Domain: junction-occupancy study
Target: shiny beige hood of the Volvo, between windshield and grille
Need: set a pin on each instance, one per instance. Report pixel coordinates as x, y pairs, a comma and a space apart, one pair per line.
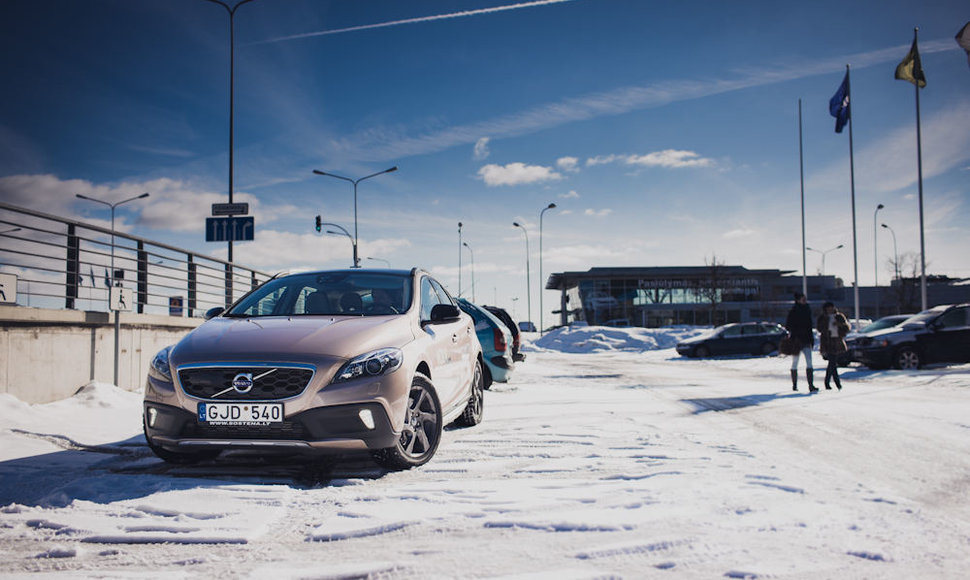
272, 338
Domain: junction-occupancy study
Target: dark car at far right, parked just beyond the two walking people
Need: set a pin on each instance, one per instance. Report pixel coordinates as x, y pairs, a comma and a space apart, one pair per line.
940, 334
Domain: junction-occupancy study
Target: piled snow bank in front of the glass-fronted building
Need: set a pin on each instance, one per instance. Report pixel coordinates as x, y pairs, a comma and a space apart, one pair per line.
590, 339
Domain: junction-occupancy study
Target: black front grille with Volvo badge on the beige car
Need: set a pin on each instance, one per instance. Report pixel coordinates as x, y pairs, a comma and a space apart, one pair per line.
268, 382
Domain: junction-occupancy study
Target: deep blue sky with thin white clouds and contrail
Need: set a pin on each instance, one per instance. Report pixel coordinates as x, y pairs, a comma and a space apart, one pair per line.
665, 132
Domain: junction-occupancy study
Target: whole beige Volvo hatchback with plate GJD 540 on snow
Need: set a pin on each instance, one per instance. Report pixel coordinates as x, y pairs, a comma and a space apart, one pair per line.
320, 362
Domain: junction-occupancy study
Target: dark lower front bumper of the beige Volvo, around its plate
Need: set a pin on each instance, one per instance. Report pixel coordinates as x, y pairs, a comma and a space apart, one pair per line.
323, 429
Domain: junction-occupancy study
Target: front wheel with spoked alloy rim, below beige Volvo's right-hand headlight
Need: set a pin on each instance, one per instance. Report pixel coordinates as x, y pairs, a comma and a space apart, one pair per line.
422, 429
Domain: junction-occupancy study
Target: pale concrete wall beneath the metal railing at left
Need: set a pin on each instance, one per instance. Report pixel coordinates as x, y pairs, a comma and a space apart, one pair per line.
47, 355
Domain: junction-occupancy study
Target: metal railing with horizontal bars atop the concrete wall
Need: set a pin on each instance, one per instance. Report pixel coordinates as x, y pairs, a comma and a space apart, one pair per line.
63, 263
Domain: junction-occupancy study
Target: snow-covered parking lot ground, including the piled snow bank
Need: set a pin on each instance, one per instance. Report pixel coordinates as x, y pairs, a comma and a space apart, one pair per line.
608, 455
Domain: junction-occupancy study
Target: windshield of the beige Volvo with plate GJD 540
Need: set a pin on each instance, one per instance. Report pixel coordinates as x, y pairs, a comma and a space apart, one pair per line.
328, 294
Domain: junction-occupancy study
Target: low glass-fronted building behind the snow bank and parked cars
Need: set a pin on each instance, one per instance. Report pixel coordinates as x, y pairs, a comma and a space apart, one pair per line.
714, 295
